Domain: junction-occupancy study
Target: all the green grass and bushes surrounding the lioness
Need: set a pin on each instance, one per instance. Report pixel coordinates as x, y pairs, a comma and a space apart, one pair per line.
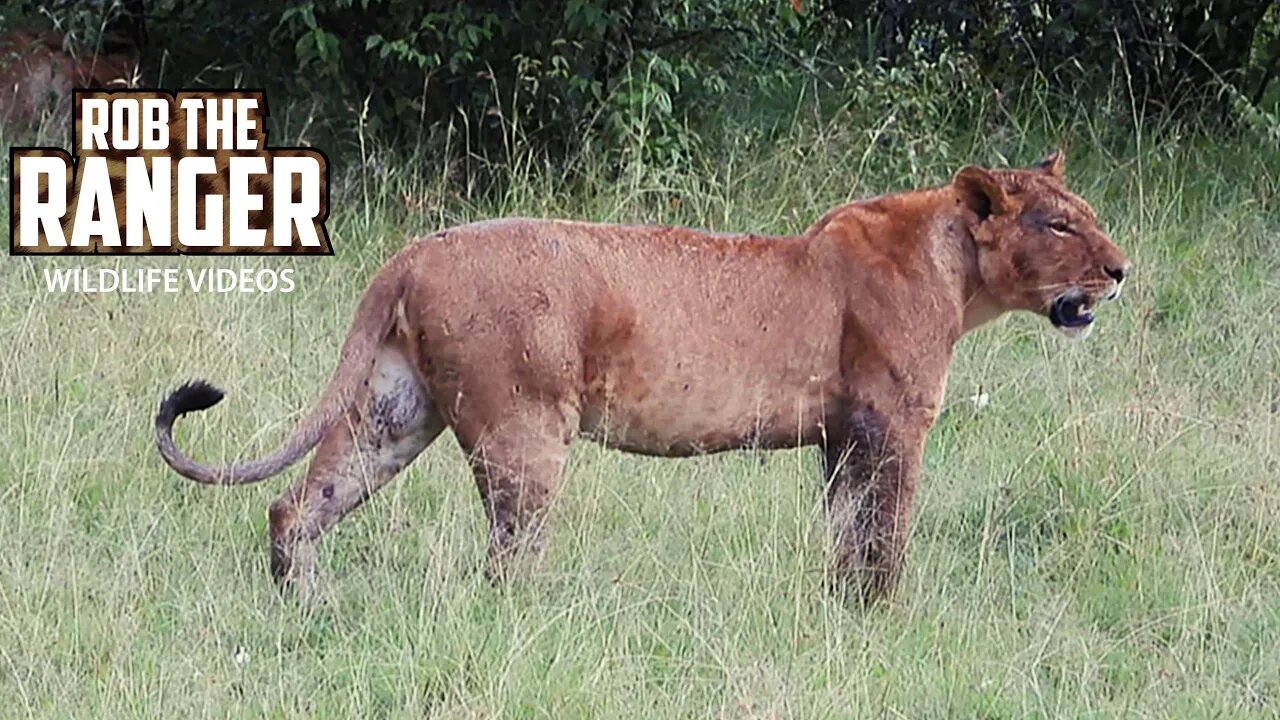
1096, 532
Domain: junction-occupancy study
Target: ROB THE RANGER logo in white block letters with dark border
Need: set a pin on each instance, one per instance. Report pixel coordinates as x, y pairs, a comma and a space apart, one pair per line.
161, 174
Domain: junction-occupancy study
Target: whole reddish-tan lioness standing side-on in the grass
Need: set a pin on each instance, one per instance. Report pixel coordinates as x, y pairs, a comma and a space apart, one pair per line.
523, 335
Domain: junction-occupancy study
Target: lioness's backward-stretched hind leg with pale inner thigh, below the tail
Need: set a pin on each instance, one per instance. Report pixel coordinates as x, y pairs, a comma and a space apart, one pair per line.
385, 431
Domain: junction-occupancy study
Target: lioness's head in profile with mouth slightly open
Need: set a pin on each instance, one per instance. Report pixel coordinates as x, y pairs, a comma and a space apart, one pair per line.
1040, 247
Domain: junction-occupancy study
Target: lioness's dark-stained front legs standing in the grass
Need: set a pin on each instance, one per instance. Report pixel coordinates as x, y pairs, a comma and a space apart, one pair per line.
871, 473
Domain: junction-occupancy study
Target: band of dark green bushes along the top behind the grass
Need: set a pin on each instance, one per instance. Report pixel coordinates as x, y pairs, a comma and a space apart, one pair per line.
643, 80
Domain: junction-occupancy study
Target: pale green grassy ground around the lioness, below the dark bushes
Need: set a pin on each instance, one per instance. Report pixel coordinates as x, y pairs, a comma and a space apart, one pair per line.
1100, 540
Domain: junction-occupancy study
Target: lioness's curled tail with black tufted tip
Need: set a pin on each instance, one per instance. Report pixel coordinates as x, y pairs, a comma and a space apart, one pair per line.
371, 327
